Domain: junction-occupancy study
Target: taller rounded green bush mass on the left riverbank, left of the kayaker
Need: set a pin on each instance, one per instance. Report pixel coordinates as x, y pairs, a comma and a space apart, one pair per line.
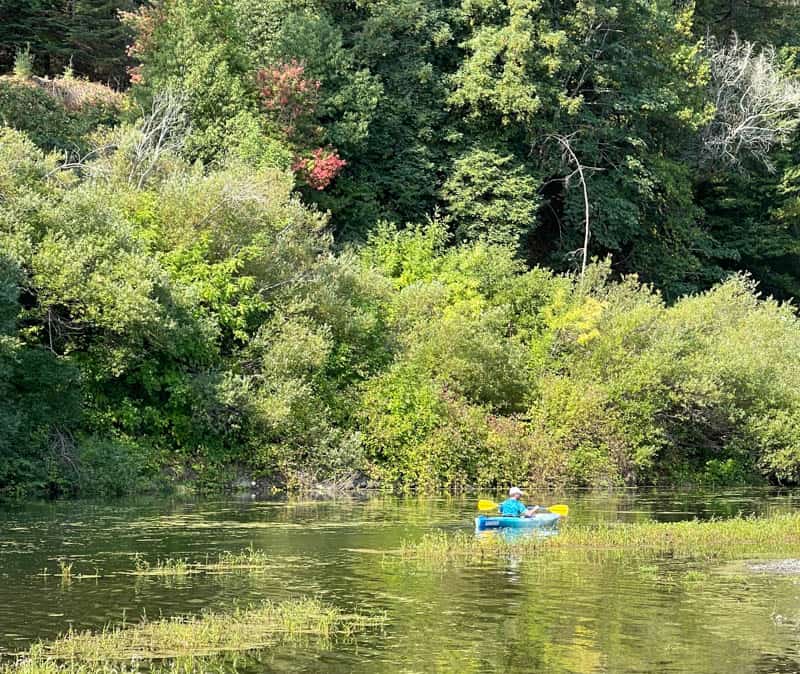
205, 316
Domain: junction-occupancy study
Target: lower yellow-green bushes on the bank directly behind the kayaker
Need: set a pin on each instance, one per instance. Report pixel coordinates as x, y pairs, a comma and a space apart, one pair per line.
615, 386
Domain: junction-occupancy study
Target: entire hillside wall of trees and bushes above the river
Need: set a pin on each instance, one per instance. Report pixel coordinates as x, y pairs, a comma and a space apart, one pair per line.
319, 239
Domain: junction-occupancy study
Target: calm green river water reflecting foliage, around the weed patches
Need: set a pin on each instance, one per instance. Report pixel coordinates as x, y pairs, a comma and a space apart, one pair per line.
577, 613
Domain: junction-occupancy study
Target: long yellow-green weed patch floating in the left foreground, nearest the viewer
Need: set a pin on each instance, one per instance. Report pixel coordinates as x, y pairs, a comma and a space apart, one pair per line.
243, 629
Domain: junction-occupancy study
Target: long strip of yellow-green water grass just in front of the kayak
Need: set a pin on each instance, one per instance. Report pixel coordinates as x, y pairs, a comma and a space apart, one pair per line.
713, 539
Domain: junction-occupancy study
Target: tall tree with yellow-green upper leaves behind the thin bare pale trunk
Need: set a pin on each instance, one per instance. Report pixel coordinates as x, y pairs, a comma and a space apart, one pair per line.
607, 77
